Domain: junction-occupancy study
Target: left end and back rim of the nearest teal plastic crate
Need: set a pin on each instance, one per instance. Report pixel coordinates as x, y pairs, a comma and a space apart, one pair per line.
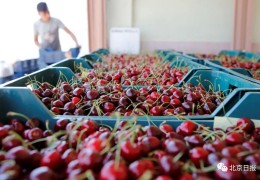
22, 100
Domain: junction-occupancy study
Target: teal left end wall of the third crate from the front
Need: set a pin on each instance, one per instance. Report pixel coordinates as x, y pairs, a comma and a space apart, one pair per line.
74, 64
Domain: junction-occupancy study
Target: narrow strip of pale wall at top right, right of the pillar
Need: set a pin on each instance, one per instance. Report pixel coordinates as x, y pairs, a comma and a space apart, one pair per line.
256, 21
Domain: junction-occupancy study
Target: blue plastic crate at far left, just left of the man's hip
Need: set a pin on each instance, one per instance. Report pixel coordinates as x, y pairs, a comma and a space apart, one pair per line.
28, 65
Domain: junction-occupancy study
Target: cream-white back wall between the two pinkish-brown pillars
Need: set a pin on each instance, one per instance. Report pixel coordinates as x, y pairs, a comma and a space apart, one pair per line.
175, 23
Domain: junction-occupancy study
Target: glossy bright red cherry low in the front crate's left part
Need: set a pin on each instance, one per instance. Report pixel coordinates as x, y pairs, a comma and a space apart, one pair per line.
52, 159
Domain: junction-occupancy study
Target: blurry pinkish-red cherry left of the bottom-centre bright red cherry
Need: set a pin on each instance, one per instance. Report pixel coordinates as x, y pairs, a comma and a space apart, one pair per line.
89, 159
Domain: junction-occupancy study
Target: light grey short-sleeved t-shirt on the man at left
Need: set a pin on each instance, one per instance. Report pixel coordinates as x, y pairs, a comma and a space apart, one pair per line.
49, 33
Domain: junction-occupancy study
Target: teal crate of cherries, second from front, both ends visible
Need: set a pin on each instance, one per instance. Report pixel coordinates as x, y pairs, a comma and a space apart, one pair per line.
216, 79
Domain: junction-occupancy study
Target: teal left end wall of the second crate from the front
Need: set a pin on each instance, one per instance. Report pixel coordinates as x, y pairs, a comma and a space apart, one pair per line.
51, 75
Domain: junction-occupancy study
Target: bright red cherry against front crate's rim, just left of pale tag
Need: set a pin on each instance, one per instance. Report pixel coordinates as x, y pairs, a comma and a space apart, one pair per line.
187, 128
